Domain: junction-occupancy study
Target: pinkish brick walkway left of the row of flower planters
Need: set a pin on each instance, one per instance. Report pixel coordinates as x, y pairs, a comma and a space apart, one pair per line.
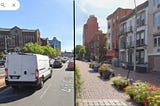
95, 88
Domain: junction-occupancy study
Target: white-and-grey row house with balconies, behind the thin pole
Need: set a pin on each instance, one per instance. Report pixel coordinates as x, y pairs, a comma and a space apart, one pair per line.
134, 32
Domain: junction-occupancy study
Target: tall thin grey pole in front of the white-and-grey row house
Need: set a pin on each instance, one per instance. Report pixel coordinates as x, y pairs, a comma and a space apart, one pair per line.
135, 37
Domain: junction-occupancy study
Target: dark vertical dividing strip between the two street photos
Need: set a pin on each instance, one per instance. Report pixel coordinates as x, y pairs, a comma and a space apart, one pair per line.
74, 34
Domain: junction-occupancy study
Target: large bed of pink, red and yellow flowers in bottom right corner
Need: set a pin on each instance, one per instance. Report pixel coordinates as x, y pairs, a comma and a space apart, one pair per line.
144, 93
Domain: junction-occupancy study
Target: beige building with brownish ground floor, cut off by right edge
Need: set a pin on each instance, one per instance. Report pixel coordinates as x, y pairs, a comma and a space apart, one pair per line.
154, 35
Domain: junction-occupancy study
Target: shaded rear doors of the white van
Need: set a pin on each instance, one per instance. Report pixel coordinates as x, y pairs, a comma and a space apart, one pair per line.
21, 68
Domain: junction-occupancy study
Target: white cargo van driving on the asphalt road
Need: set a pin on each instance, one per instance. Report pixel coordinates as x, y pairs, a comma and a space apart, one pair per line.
27, 69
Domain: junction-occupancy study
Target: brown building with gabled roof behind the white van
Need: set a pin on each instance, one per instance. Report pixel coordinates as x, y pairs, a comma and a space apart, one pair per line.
11, 38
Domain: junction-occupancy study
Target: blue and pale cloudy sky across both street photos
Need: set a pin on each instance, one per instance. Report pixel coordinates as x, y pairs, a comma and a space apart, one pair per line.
54, 18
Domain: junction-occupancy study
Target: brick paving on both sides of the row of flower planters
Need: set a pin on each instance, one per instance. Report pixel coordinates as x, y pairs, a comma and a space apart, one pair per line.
99, 92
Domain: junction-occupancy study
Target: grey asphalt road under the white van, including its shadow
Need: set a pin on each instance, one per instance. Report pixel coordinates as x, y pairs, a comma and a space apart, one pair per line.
57, 91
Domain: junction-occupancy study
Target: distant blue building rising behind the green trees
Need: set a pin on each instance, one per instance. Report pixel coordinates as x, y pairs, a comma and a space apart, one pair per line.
55, 43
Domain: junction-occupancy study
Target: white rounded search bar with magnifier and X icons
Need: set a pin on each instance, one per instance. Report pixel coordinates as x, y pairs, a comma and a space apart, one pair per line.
9, 4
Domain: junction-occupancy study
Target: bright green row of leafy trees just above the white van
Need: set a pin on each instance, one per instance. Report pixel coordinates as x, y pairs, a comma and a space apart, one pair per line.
38, 49
